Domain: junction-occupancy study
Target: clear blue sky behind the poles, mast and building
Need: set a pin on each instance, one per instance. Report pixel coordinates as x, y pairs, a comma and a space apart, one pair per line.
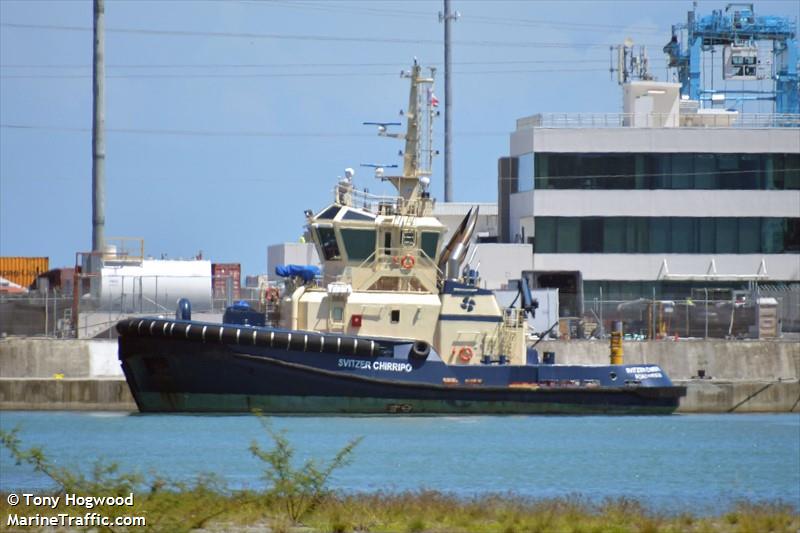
227, 119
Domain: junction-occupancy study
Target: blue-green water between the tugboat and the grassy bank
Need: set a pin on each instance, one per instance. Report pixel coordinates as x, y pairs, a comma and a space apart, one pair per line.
696, 463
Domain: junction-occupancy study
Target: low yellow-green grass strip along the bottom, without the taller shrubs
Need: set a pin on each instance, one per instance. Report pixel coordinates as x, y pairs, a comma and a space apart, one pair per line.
199, 508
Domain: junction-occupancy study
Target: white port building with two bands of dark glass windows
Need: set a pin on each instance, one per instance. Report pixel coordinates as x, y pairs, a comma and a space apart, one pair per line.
657, 200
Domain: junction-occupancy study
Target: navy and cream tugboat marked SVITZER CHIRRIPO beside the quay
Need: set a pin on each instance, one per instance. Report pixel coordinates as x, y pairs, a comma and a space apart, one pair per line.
394, 324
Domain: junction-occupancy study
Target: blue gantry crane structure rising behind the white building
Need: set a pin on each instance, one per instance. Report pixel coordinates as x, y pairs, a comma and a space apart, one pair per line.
738, 30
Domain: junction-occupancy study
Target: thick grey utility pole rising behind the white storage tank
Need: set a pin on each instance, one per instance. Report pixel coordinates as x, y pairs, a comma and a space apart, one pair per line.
98, 134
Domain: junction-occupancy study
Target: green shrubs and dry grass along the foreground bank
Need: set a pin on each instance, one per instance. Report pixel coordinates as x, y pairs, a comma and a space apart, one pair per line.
299, 500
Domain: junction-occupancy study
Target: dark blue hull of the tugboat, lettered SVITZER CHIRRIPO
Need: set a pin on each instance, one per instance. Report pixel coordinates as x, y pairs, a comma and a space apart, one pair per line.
170, 369
